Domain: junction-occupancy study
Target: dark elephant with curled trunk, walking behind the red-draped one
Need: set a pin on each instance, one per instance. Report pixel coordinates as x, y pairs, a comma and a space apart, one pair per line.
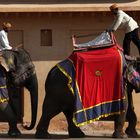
21, 73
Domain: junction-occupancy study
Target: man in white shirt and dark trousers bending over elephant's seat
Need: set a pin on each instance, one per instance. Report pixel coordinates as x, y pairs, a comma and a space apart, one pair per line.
130, 26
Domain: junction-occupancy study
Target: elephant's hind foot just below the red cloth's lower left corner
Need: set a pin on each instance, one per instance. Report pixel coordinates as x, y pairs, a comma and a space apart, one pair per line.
75, 132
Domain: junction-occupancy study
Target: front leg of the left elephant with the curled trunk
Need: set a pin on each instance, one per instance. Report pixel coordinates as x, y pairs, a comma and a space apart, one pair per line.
11, 118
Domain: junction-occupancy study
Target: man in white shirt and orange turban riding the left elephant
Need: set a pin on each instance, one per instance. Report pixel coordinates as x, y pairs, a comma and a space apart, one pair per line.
4, 42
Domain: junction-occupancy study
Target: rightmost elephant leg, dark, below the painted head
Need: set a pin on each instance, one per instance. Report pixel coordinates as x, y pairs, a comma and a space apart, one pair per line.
131, 115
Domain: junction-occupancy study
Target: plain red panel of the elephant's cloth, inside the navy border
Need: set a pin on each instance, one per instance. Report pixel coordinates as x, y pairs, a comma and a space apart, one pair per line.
98, 75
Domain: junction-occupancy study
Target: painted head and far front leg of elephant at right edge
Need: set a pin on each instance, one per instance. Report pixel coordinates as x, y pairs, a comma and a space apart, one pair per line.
133, 83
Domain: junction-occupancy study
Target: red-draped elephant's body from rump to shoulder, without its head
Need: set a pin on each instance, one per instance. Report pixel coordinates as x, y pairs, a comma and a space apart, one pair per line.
99, 73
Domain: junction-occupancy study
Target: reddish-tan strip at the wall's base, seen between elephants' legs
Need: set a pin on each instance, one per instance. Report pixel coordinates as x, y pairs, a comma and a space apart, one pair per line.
60, 125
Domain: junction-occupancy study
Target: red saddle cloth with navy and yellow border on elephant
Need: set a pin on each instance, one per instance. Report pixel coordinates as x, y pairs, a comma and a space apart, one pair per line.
96, 81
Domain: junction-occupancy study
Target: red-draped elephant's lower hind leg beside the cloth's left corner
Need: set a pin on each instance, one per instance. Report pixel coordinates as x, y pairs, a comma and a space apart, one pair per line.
74, 131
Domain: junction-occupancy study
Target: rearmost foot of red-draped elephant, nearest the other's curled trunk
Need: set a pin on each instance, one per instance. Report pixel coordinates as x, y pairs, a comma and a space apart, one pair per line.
41, 134
